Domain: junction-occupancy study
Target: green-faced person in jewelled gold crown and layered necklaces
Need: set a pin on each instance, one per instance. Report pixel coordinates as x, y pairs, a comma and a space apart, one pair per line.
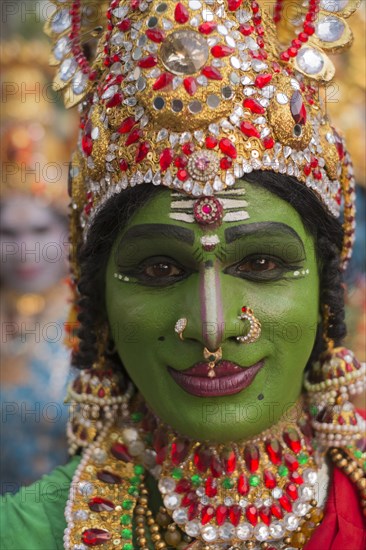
212, 410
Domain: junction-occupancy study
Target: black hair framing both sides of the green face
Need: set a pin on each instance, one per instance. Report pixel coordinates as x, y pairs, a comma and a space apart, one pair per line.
93, 257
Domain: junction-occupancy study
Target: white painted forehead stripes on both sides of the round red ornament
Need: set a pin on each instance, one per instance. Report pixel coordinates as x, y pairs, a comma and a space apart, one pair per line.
232, 201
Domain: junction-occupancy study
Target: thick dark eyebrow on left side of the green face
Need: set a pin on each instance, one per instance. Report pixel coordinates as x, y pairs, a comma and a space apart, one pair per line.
151, 230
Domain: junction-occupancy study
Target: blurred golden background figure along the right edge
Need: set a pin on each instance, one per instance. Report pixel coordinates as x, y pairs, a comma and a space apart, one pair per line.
349, 93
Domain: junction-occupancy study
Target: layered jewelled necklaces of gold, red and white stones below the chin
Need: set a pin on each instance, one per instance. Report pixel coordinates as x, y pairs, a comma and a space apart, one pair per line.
260, 493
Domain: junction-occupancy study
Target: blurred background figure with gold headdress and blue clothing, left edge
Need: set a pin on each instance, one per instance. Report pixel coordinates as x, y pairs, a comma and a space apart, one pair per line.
35, 150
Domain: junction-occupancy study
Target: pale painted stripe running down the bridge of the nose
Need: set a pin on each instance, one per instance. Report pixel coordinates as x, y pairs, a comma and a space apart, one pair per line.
211, 305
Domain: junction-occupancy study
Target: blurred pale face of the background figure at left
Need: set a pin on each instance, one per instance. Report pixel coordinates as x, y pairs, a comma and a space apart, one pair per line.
33, 240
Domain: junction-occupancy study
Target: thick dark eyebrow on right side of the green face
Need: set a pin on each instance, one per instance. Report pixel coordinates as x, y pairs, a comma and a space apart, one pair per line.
265, 229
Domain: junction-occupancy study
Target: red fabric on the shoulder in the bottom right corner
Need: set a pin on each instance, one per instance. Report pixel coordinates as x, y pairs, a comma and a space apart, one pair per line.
343, 526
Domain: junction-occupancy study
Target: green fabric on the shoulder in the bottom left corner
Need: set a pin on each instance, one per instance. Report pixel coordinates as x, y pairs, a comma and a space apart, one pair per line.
33, 519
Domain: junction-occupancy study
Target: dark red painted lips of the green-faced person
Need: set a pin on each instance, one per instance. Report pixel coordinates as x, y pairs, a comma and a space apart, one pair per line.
229, 379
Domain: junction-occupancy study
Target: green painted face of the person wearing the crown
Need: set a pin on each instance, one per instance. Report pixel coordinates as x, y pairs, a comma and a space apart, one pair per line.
266, 262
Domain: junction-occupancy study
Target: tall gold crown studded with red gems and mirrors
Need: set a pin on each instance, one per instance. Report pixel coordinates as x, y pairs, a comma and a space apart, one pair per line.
193, 95
